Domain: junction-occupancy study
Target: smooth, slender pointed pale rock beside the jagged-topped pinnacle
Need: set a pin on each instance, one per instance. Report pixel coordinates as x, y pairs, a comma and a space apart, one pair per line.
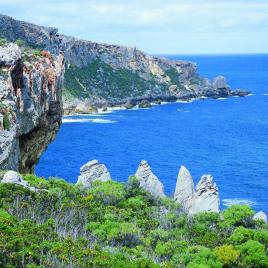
184, 188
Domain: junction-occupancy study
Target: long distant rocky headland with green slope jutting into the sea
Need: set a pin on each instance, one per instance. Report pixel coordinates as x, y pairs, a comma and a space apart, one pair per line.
102, 75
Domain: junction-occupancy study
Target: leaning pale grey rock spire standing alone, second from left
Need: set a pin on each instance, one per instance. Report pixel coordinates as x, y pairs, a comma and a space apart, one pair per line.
148, 180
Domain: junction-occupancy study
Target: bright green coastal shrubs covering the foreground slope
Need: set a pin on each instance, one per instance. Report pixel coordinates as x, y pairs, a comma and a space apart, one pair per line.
120, 225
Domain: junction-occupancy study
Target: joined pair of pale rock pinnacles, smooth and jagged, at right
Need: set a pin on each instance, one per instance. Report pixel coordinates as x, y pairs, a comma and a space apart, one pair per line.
204, 198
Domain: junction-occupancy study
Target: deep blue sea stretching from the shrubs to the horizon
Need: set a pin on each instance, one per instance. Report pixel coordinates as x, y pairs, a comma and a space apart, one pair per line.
227, 138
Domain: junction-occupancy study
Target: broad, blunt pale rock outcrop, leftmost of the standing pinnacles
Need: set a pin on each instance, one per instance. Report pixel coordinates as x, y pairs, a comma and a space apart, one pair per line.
91, 172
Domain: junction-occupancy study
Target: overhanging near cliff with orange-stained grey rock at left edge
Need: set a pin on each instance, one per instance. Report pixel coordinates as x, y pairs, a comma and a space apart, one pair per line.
30, 104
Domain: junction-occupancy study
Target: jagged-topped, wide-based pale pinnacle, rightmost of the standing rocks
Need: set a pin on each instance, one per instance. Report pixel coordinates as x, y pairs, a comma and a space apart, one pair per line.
206, 197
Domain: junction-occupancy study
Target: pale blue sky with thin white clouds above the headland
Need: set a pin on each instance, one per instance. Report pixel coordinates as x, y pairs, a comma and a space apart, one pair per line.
154, 26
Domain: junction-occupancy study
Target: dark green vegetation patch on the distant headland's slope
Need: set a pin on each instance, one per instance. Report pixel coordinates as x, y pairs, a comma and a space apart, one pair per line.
101, 79
